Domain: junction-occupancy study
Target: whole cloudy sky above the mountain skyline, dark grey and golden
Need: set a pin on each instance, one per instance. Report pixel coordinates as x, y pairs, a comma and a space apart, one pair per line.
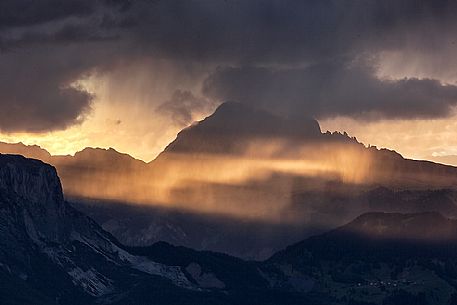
130, 74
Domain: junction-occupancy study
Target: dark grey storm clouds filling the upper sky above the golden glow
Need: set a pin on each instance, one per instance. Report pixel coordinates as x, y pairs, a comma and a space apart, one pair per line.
319, 58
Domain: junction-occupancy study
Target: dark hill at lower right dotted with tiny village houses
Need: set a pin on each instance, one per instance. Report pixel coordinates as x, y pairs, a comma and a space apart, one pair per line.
378, 258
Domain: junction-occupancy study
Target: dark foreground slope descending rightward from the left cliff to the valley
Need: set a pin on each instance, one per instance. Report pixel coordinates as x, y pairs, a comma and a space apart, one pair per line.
50, 253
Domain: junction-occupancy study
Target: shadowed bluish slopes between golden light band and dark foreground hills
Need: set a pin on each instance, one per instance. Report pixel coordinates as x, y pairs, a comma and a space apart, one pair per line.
144, 225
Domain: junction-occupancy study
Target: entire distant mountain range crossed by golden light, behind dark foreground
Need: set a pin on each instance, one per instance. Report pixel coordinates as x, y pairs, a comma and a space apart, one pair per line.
241, 169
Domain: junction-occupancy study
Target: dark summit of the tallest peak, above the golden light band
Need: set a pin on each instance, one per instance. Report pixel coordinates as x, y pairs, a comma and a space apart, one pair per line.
233, 125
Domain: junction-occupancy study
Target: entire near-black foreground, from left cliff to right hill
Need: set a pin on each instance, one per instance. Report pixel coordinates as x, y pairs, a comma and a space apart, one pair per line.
52, 254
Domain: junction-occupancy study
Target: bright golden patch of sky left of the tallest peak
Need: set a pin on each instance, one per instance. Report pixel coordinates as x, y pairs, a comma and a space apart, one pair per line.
123, 116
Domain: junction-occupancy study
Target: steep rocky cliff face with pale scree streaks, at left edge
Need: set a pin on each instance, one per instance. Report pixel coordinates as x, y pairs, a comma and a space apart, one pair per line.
38, 228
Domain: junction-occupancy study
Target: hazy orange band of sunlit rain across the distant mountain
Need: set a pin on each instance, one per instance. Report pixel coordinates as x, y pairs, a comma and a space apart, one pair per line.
251, 185
